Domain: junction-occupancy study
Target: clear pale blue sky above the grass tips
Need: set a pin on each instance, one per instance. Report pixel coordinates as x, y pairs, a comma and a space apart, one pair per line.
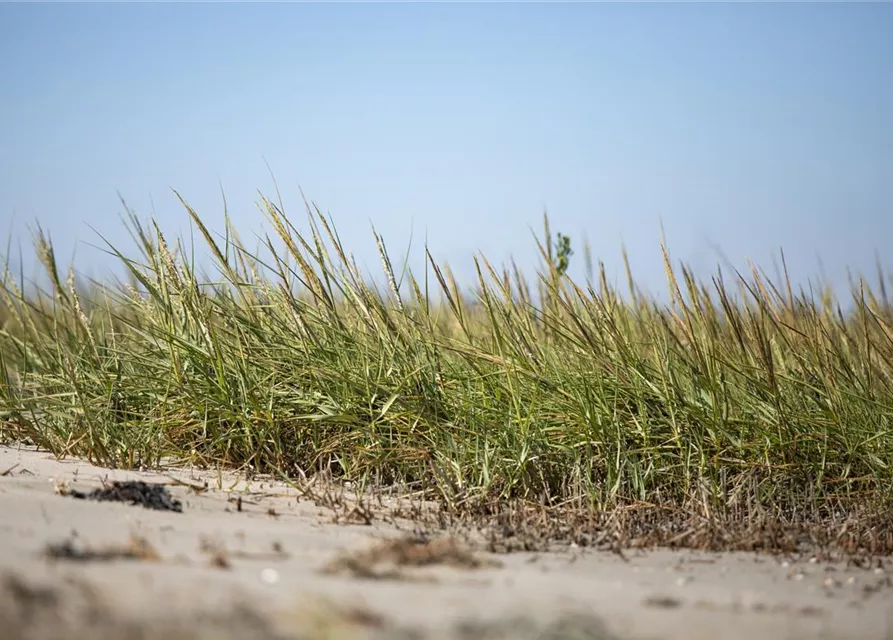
747, 126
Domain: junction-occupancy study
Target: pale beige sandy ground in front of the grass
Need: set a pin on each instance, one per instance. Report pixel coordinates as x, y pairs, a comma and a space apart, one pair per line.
217, 572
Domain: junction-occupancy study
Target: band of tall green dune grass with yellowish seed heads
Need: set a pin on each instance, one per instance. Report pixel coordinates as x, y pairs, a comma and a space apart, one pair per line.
737, 390
